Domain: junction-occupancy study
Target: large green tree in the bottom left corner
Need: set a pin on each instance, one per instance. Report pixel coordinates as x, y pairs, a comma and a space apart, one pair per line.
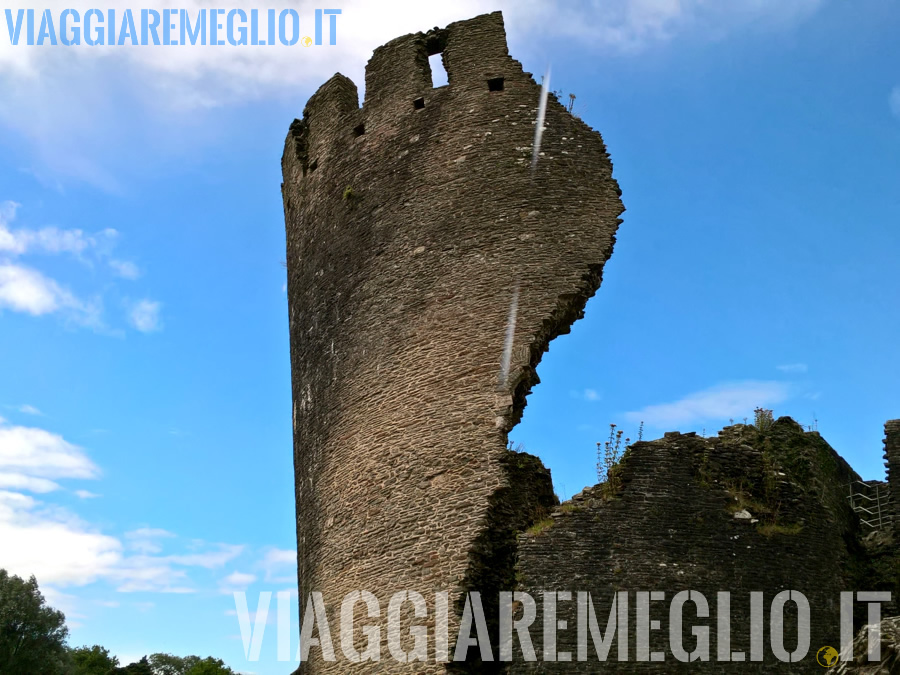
32, 635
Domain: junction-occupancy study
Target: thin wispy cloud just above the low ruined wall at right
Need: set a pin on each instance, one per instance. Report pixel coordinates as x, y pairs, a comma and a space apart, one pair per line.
721, 402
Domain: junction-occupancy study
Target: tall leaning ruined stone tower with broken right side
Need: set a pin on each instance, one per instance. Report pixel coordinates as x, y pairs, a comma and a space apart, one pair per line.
410, 223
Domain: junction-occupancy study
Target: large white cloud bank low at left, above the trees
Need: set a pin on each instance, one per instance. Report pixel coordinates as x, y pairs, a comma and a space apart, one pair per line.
61, 549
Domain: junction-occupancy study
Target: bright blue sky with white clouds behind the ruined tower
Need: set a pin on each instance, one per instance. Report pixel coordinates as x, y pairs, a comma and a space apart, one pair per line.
145, 448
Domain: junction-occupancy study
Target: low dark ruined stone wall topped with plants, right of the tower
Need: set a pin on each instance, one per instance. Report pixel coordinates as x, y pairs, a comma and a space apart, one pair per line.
673, 527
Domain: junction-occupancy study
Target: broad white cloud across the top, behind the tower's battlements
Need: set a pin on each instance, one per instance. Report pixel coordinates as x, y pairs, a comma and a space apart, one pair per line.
75, 90
